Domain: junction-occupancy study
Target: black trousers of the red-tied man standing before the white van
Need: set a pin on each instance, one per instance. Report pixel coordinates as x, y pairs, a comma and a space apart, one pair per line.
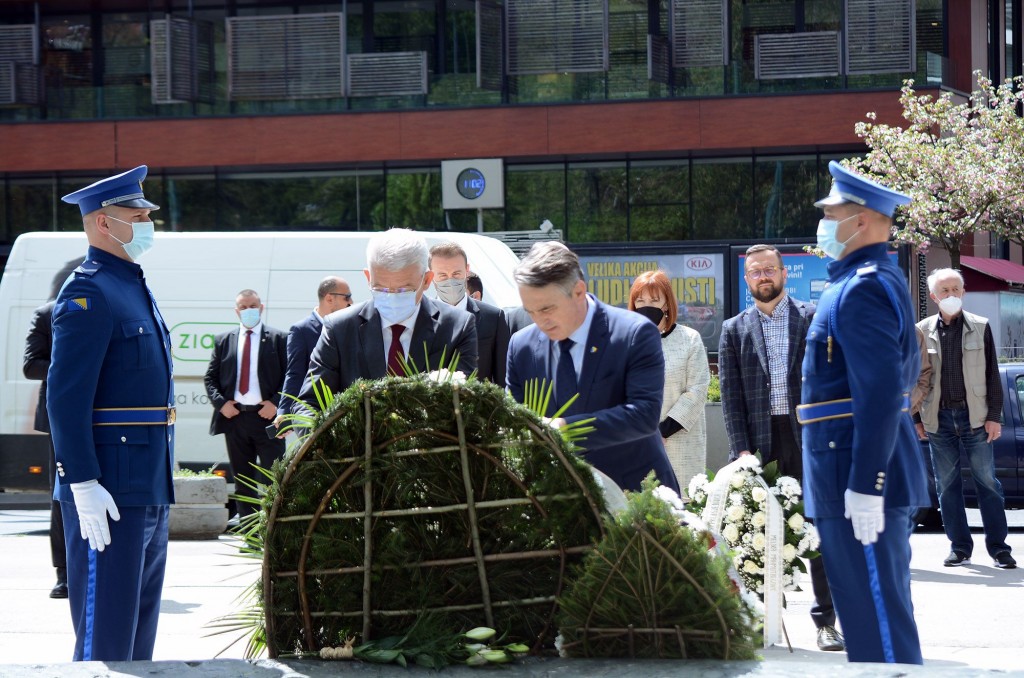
248, 446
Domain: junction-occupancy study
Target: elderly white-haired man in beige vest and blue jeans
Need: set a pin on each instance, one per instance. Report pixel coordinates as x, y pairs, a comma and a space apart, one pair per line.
964, 408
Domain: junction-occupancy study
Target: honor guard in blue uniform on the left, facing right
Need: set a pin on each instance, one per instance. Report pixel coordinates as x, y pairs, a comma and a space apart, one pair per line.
110, 400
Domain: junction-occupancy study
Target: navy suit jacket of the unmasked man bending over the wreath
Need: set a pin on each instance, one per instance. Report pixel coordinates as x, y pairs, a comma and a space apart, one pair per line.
621, 386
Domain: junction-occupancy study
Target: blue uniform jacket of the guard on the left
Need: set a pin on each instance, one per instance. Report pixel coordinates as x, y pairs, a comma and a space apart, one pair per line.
111, 350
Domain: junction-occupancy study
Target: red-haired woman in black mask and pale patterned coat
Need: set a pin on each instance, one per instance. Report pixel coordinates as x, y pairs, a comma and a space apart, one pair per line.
687, 376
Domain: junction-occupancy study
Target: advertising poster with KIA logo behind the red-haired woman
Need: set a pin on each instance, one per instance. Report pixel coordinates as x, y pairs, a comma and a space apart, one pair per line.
698, 280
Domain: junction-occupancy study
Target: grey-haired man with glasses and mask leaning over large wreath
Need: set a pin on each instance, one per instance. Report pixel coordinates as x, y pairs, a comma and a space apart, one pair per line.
368, 341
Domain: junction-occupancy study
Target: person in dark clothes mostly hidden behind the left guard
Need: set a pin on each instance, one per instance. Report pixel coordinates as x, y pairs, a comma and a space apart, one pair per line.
37, 361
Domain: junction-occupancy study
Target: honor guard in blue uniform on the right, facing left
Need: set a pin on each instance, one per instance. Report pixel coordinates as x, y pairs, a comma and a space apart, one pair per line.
864, 473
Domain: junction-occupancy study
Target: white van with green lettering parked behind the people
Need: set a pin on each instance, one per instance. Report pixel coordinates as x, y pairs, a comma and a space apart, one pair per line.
195, 278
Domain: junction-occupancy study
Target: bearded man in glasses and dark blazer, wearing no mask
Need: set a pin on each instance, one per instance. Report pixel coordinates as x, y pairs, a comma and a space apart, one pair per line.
760, 356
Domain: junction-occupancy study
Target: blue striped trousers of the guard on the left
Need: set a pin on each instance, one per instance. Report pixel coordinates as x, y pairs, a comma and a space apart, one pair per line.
115, 595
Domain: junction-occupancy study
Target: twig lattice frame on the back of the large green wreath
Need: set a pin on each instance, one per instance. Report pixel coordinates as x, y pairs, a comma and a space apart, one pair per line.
479, 463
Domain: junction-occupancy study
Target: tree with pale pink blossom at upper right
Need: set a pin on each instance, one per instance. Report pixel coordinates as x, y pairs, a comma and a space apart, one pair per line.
961, 160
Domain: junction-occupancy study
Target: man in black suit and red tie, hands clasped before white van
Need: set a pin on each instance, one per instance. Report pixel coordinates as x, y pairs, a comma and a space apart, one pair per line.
244, 386
